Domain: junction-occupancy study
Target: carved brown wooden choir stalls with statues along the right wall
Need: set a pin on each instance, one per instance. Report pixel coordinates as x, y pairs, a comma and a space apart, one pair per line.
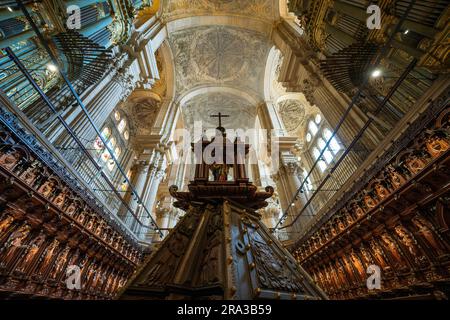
399, 221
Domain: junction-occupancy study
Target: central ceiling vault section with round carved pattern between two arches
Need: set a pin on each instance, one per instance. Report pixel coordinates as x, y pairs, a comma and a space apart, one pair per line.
219, 56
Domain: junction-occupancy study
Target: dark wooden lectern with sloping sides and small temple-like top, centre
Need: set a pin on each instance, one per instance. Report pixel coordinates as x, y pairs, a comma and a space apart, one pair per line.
221, 249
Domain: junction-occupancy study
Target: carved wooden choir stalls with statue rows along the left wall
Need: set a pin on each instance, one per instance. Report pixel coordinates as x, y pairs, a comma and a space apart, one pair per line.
48, 224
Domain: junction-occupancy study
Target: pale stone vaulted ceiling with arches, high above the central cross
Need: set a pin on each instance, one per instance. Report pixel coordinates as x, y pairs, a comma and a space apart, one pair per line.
220, 49
